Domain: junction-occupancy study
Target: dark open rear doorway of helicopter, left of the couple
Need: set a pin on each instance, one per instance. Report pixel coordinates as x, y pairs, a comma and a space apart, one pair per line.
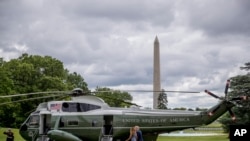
108, 124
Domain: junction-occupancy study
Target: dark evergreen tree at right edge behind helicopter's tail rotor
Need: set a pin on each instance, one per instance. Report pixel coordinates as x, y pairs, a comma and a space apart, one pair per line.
240, 86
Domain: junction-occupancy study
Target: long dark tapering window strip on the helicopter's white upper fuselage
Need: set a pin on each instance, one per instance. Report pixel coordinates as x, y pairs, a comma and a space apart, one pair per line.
78, 107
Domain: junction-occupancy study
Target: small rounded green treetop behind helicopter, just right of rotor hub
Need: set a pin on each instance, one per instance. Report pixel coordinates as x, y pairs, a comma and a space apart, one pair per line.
114, 98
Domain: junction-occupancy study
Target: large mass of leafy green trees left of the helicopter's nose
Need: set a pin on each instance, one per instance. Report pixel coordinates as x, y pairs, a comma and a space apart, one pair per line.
32, 73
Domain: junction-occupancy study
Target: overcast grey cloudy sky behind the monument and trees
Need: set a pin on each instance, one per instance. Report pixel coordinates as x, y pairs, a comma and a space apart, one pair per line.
110, 42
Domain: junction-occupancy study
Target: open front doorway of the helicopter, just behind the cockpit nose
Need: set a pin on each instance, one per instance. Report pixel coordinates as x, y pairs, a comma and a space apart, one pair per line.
44, 124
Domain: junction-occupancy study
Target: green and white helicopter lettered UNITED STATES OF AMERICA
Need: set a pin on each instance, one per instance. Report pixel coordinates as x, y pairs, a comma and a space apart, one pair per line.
89, 118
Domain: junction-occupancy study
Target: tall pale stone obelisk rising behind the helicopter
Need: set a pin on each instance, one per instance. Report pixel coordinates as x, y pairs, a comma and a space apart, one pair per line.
157, 74
